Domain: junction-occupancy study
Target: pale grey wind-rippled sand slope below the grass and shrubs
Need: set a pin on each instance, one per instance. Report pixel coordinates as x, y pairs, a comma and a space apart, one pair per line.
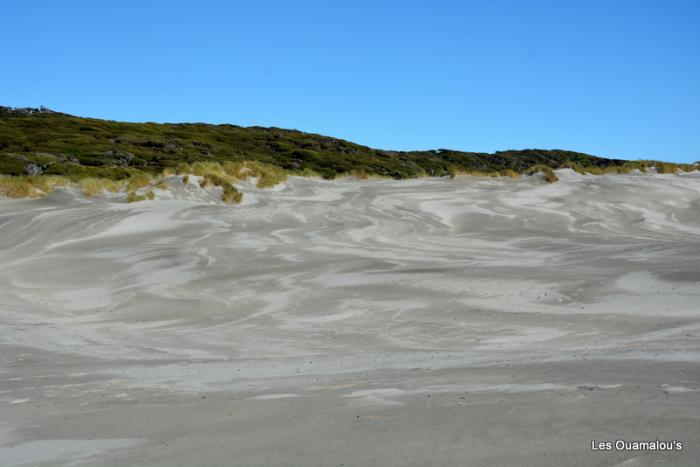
419, 322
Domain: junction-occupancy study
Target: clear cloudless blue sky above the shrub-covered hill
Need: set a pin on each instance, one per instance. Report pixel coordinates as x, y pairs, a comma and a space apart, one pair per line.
613, 78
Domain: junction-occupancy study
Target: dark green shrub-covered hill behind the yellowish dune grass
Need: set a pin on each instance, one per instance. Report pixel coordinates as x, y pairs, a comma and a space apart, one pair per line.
34, 141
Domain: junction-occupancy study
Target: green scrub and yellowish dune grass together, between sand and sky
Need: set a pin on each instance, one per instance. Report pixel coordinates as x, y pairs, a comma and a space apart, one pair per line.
136, 156
